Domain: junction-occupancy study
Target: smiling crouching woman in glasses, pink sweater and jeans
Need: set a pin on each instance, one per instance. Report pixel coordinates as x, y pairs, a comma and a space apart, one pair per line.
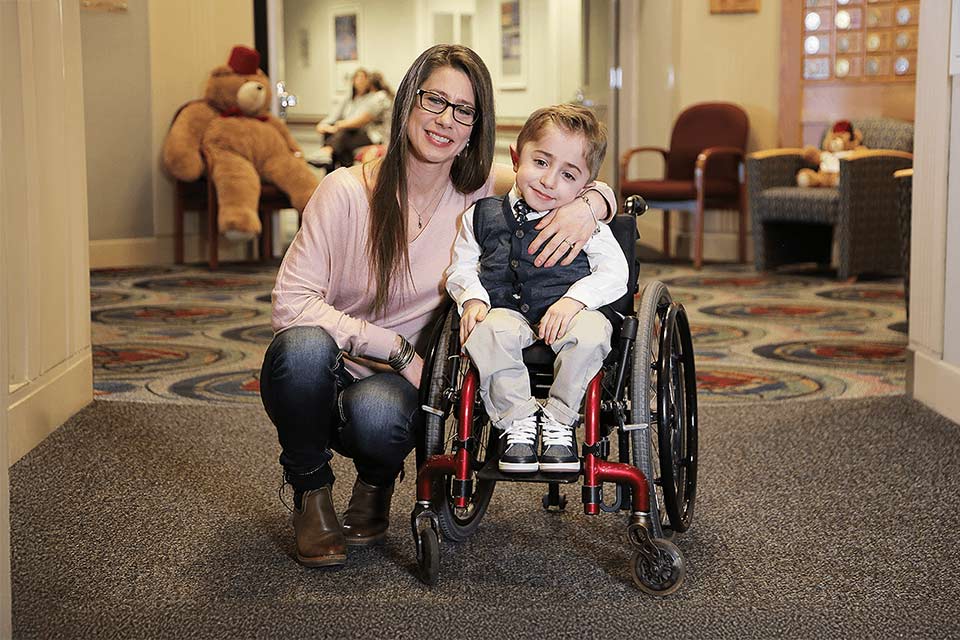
360, 286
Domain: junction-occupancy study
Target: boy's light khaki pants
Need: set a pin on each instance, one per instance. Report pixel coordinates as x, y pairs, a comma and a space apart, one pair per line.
496, 345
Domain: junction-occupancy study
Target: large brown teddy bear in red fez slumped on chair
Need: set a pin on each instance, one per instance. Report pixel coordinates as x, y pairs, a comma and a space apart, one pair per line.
242, 143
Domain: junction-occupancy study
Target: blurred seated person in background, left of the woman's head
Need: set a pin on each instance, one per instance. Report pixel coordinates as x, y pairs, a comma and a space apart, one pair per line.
361, 120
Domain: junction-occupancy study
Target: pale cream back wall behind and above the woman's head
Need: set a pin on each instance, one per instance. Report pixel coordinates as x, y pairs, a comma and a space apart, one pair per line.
392, 33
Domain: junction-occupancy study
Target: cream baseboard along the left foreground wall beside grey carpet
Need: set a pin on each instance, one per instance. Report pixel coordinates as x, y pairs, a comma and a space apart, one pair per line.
38, 408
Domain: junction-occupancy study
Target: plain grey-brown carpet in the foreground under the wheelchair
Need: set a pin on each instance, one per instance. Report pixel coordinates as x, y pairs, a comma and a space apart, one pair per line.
814, 520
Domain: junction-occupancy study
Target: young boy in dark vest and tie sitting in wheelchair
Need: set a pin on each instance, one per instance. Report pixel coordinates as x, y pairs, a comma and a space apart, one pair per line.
507, 303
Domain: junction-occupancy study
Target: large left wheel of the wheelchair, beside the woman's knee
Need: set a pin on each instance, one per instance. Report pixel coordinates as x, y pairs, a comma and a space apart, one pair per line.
447, 369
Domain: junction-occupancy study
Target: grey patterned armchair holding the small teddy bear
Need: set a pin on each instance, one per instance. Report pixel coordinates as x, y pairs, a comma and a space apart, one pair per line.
793, 224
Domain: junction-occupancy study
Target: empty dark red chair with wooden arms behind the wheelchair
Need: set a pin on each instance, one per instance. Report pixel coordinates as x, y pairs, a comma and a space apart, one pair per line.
703, 168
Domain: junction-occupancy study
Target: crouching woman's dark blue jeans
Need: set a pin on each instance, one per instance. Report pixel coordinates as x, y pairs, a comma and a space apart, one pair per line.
317, 407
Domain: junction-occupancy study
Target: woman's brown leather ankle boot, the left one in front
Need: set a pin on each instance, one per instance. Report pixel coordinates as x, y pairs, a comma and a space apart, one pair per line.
319, 538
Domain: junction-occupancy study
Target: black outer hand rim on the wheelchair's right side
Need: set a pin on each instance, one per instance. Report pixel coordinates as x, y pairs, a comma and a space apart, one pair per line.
677, 417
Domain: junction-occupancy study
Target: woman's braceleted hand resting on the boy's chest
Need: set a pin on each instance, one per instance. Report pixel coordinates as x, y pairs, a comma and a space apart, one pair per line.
564, 231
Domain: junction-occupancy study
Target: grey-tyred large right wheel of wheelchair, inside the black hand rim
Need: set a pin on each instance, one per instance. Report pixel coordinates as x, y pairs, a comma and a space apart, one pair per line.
644, 443
